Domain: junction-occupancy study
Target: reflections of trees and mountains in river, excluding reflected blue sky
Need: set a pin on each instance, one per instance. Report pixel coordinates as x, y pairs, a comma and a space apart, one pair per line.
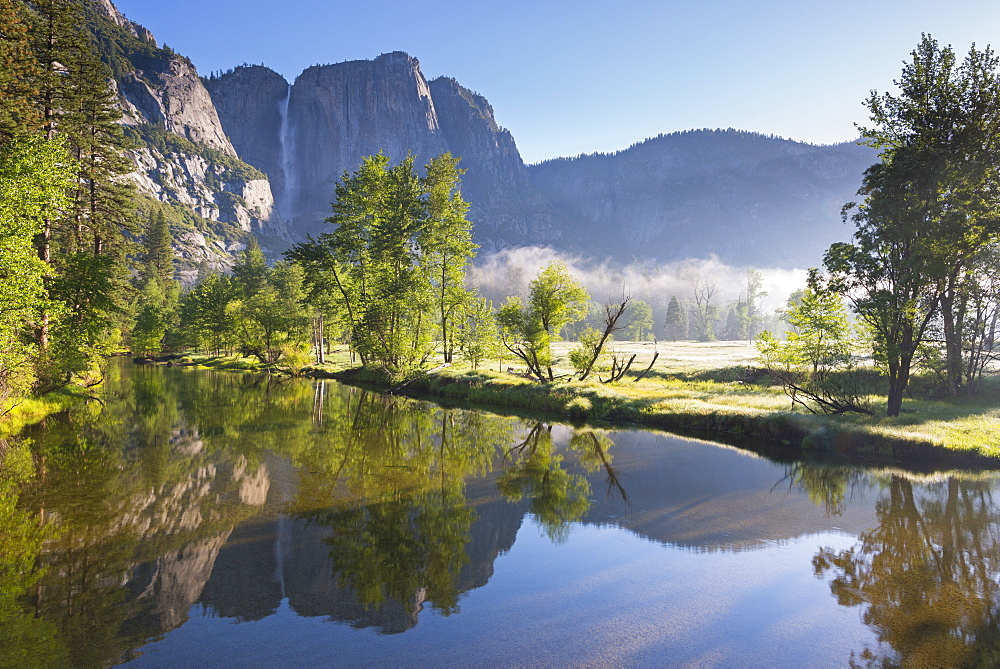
192, 494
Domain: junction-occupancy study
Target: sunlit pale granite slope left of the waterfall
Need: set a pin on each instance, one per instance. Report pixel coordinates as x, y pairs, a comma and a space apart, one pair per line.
185, 159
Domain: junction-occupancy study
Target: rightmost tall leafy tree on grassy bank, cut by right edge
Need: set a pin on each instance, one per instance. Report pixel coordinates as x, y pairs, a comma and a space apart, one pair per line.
938, 142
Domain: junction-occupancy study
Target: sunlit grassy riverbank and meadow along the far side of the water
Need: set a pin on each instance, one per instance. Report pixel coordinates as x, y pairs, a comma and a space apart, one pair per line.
696, 398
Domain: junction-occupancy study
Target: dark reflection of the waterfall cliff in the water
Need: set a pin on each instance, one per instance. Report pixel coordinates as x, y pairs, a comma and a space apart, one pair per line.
247, 581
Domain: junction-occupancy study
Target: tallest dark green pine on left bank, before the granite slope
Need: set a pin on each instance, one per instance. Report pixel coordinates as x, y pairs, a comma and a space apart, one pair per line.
87, 248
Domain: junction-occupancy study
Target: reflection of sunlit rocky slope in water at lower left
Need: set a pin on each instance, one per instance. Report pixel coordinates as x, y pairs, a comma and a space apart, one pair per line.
130, 562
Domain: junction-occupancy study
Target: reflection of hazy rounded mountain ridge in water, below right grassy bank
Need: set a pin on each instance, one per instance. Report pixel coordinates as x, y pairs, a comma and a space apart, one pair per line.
684, 493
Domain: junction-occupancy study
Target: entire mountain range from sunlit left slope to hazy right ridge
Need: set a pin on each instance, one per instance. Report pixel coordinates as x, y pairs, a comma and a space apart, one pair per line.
246, 152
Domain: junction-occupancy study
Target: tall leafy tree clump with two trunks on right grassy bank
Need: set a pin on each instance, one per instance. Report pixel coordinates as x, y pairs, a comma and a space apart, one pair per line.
930, 206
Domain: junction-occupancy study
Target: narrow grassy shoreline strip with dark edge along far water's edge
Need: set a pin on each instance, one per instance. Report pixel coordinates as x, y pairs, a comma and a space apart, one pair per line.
776, 431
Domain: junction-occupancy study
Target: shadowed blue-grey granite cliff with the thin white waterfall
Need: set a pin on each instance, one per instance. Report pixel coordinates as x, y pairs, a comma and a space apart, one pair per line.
335, 115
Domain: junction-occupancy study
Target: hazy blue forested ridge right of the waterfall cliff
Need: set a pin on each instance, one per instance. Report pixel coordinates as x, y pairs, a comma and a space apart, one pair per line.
745, 197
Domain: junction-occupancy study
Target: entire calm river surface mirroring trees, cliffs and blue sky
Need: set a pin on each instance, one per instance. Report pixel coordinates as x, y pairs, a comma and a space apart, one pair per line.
202, 518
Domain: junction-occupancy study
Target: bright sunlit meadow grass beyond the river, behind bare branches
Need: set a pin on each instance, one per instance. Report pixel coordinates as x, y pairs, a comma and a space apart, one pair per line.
711, 387
